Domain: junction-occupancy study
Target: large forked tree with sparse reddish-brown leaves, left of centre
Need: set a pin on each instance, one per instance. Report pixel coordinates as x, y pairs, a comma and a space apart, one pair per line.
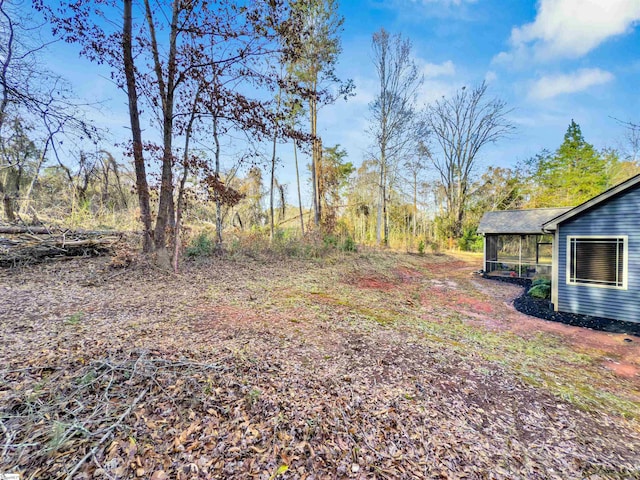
176, 46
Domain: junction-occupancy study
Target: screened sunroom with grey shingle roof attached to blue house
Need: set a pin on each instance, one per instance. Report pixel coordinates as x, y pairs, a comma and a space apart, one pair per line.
514, 243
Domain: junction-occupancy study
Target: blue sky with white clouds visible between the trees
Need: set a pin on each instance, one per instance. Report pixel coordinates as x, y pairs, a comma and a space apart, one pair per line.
551, 61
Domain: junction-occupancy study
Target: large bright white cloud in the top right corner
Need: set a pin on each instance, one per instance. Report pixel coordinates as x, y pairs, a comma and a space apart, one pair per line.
571, 28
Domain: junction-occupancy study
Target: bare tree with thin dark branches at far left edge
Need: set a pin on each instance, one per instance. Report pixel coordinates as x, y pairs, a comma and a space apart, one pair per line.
31, 94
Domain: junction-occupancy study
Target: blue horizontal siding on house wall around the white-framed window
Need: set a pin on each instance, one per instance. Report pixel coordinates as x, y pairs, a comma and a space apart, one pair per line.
616, 216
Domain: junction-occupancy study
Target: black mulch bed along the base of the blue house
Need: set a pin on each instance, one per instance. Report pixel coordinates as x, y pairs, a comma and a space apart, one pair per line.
542, 309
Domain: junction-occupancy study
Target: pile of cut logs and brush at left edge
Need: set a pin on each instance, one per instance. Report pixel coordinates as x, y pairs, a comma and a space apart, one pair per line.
22, 245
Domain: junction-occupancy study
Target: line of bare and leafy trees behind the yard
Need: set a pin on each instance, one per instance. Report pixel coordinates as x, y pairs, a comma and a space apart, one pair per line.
225, 87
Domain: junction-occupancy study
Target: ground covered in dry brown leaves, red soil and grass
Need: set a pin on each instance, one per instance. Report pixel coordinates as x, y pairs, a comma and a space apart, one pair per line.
367, 365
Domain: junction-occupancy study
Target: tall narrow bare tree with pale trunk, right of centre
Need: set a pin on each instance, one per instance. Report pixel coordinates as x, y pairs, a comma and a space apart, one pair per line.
393, 111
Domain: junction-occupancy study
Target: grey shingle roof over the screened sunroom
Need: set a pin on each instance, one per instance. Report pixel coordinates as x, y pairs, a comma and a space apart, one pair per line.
528, 222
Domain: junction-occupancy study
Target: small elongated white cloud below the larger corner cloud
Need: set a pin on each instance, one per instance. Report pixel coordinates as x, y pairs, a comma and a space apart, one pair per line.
553, 85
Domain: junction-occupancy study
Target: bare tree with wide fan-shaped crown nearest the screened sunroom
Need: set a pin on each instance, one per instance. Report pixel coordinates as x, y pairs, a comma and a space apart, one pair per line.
462, 125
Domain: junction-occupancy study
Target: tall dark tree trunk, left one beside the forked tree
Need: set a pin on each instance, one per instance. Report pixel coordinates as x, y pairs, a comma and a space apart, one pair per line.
142, 186
